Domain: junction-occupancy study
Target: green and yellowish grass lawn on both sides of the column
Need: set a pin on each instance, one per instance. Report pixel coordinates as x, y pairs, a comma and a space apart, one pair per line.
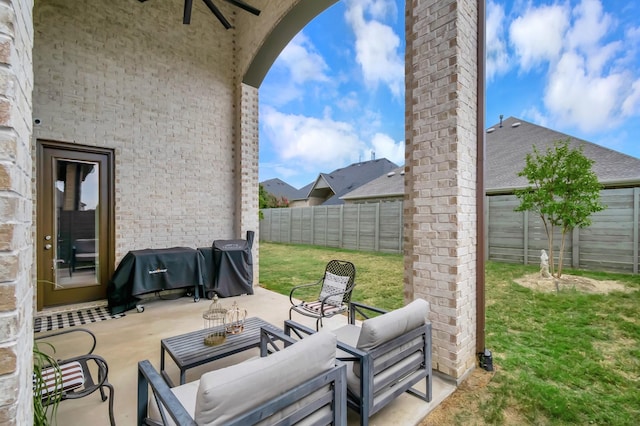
561, 359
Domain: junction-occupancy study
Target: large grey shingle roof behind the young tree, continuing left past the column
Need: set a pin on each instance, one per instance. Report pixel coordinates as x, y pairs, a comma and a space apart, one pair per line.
506, 151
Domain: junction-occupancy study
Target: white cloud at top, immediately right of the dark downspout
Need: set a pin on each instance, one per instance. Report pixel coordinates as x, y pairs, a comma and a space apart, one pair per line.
497, 55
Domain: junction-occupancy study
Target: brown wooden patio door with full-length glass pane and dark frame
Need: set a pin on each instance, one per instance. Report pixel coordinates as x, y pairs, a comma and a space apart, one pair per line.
74, 246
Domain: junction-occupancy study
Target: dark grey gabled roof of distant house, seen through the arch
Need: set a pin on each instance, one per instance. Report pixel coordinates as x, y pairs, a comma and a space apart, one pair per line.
334, 185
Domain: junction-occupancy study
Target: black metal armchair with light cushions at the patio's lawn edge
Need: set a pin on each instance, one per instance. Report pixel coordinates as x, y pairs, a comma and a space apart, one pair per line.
333, 292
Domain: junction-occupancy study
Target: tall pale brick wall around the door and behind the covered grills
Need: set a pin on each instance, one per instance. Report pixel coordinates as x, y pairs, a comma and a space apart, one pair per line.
131, 77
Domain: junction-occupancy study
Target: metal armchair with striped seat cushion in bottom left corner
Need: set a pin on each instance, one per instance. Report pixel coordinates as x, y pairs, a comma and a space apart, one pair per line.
74, 377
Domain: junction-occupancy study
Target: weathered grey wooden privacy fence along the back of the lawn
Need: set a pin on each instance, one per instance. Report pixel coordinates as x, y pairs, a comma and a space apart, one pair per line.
611, 243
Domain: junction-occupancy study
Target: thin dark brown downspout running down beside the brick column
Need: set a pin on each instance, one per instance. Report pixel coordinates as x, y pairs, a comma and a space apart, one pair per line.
484, 355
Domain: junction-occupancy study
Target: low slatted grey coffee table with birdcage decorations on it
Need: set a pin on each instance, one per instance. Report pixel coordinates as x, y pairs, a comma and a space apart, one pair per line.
188, 350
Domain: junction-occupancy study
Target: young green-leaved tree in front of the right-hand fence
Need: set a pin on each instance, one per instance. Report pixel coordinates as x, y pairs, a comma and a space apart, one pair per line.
563, 190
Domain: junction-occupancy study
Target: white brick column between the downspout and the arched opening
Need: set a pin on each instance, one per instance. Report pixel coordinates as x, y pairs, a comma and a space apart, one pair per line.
441, 155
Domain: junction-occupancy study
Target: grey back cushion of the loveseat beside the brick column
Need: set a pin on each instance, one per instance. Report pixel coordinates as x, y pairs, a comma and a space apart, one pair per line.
381, 329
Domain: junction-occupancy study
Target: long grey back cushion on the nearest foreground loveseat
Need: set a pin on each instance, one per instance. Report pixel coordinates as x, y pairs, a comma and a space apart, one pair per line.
226, 393
